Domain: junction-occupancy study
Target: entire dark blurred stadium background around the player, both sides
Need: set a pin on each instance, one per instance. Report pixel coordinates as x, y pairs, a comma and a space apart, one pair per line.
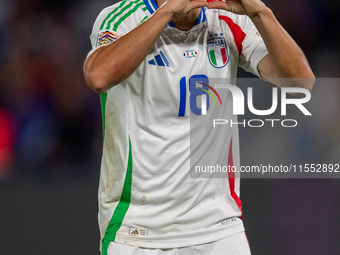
50, 136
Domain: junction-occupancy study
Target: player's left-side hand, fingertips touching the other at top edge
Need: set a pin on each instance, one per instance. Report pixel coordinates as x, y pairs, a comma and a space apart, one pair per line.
179, 7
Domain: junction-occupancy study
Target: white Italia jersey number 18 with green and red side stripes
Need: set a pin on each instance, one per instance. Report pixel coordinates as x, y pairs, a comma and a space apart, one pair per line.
146, 195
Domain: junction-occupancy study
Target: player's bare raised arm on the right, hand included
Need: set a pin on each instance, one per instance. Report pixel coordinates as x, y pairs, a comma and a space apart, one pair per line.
285, 59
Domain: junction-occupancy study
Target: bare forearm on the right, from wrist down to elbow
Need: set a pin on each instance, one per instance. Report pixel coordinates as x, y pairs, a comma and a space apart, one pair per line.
286, 56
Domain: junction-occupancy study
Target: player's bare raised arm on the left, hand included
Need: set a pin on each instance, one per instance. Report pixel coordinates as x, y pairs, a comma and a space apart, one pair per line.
111, 64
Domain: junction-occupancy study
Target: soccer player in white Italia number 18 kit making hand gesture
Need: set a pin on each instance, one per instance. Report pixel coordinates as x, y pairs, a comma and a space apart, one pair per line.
147, 60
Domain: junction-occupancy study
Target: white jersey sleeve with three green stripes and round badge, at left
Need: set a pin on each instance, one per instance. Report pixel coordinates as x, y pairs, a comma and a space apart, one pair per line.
115, 21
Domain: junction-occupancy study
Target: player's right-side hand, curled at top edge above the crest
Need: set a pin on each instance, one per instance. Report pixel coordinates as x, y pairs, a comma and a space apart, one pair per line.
250, 8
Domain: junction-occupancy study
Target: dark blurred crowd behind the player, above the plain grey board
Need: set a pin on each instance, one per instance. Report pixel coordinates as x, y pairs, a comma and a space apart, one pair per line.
50, 120
